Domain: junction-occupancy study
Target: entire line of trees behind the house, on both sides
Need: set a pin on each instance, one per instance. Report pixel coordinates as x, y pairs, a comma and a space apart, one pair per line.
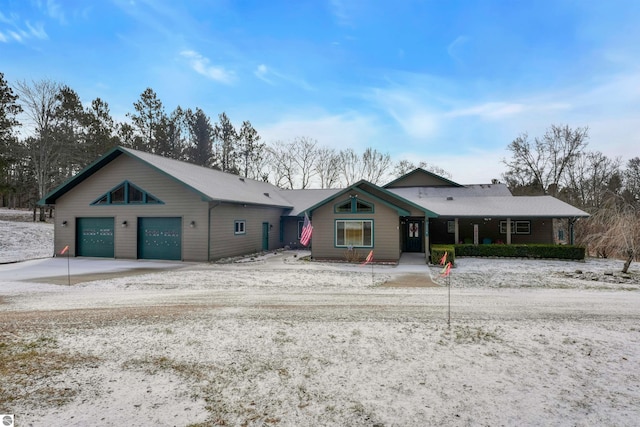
47, 136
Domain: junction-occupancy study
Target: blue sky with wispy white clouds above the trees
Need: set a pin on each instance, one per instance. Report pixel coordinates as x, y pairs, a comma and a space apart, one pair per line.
449, 82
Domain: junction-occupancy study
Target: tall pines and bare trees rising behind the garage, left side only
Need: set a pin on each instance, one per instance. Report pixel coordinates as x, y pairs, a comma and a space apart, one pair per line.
47, 135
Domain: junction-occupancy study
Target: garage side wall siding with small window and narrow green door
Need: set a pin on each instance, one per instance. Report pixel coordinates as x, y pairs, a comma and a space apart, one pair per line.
224, 242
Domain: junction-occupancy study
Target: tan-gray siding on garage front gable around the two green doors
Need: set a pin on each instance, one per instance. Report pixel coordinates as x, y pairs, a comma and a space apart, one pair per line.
178, 202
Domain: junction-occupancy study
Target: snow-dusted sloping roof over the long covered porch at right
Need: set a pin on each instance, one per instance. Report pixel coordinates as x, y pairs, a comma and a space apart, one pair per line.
492, 200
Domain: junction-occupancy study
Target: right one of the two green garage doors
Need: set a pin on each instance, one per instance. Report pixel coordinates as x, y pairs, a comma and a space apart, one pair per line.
160, 238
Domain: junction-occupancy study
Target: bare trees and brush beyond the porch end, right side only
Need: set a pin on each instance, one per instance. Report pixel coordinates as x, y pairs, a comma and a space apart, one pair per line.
560, 164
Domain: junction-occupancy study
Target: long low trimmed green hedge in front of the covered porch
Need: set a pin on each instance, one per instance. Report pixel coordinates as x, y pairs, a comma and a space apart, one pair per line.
522, 251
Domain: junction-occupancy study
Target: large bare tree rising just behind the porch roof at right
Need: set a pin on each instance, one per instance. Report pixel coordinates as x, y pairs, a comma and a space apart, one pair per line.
543, 164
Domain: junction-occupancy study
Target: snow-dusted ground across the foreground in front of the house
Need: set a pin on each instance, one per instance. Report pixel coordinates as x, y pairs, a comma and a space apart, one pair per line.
284, 342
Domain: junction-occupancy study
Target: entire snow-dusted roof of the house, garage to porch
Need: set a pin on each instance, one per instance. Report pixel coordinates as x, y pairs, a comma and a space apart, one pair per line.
445, 198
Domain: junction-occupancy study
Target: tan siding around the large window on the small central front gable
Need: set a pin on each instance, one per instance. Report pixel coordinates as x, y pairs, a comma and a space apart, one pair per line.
386, 236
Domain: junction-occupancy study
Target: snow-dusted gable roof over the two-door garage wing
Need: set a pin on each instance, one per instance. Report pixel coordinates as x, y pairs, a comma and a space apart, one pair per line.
210, 184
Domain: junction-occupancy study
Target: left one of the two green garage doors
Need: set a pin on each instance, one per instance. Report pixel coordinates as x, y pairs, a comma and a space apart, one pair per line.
94, 237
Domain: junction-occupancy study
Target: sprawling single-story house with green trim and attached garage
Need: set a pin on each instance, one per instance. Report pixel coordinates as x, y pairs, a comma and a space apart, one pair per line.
135, 205
